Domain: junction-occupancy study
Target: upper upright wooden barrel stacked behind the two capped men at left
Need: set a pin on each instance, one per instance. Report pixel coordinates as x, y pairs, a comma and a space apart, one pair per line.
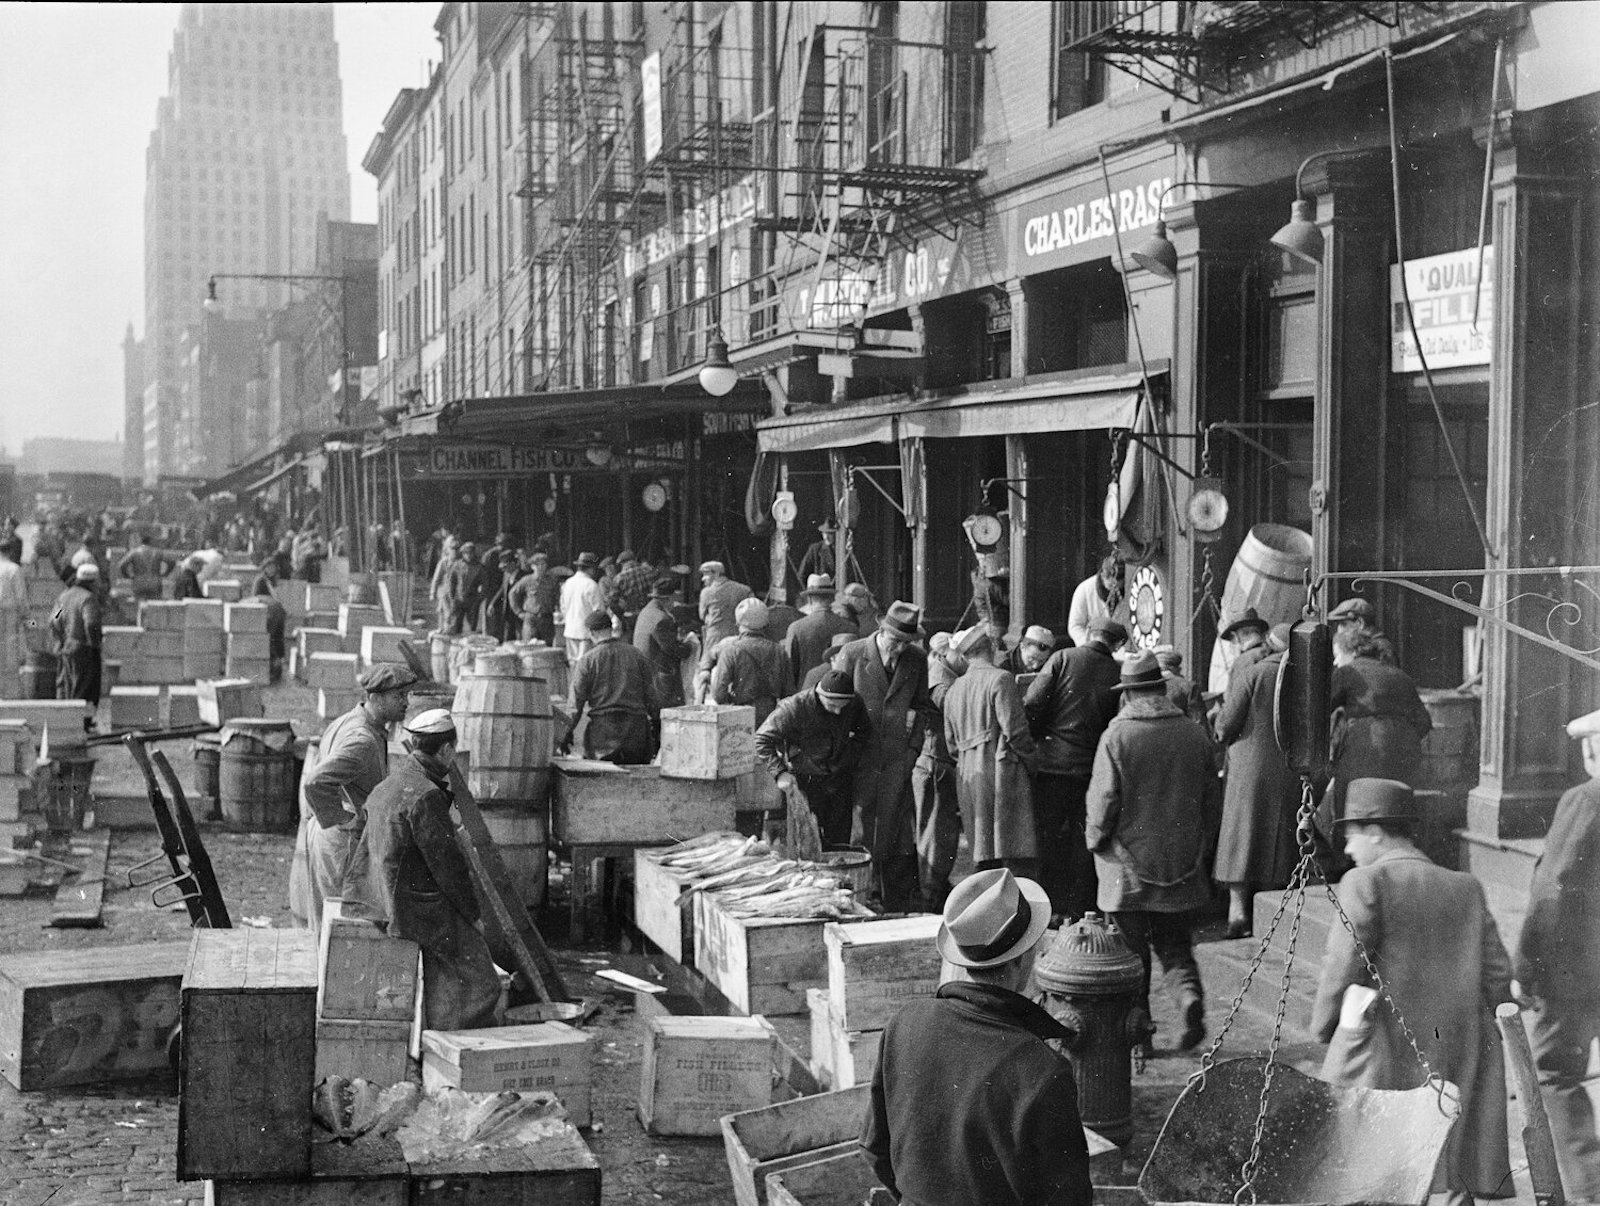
506, 727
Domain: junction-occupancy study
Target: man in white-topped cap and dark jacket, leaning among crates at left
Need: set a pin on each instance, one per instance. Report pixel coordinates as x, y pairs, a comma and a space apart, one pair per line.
423, 885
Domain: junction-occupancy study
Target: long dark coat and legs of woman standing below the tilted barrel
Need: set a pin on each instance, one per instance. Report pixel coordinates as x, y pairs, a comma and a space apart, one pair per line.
1255, 849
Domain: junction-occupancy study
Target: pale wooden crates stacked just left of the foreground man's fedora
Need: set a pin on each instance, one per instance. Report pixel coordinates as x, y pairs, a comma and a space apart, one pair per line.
873, 970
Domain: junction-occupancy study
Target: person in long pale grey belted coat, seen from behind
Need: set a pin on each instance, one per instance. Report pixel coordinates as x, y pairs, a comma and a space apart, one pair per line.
986, 729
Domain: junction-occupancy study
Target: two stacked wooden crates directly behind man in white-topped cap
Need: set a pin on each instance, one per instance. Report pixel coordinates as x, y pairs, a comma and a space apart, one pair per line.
367, 1000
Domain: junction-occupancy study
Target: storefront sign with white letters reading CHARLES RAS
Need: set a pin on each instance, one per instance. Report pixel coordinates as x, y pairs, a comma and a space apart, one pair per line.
1082, 223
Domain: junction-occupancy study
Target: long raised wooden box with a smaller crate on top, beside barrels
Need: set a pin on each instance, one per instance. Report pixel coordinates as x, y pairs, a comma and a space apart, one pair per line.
633, 805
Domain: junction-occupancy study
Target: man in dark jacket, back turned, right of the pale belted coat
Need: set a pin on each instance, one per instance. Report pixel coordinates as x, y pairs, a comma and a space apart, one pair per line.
1070, 706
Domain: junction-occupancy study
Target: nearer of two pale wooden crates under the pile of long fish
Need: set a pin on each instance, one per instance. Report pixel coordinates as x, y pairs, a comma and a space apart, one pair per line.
761, 965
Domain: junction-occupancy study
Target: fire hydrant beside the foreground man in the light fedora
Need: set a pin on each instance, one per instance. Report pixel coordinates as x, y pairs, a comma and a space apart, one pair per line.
1092, 986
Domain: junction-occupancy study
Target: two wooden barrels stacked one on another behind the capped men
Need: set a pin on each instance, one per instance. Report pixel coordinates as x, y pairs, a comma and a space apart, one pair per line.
506, 727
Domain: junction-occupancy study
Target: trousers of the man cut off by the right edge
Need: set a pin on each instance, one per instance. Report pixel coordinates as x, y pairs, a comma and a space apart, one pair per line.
1561, 1037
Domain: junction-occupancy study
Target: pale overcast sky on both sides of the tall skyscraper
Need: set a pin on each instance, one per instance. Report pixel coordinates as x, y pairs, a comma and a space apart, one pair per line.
78, 106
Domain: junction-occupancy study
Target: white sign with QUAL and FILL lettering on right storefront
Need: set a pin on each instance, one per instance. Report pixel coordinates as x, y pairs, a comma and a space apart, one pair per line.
1446, 294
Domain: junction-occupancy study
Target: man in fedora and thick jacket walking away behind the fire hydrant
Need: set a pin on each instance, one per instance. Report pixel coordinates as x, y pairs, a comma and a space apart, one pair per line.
1150, 810
